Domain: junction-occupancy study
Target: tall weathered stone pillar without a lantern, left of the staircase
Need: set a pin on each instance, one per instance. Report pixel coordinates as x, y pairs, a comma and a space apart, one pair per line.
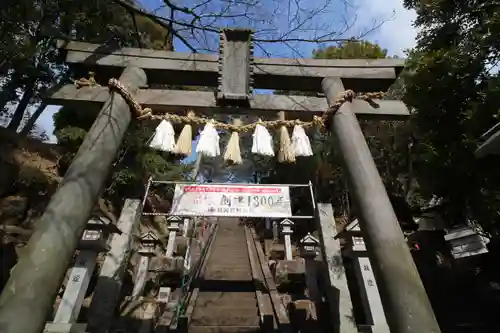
109, 284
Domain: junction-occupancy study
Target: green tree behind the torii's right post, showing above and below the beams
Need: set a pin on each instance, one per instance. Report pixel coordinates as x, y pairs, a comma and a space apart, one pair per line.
388, 142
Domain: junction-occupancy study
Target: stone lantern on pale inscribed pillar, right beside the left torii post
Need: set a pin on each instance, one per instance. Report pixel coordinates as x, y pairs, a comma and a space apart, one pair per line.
92, 242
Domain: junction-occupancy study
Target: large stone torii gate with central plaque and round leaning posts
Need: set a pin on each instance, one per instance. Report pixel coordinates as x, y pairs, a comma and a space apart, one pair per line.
235, 72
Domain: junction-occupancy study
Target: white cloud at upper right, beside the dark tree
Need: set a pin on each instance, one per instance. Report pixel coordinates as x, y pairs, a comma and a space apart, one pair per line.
398, 33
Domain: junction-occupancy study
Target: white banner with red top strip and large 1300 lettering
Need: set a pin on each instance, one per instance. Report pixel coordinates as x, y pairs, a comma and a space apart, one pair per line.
231, 201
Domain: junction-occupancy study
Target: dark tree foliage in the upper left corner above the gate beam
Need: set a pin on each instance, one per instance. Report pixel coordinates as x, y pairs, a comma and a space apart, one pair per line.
29, 29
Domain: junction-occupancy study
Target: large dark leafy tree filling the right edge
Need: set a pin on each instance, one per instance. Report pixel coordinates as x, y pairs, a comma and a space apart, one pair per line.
453, 87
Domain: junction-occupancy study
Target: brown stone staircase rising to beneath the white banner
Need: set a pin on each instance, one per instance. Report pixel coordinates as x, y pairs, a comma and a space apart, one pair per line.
226, 301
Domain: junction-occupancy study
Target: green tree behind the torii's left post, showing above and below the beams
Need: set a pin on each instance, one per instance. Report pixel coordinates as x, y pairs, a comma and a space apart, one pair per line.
135, 162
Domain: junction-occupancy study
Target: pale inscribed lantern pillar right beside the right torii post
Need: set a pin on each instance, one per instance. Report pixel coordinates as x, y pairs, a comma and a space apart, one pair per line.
370, 296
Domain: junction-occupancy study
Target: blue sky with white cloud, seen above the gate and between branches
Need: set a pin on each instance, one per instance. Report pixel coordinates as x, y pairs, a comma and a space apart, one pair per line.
396, 34
